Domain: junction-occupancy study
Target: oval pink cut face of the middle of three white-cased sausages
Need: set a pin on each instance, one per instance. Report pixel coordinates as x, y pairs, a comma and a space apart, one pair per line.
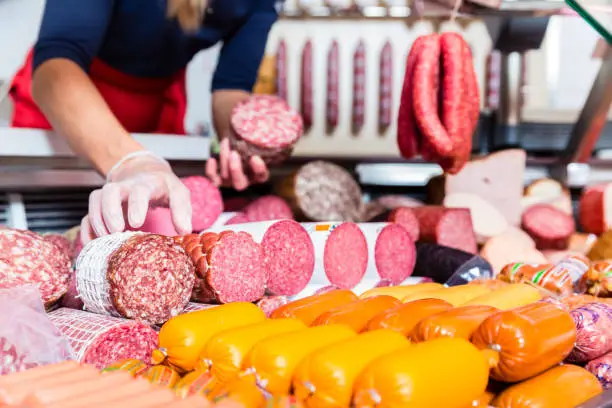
346, 255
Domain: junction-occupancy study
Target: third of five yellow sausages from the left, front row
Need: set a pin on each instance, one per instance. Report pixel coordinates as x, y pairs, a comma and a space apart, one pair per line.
274, 360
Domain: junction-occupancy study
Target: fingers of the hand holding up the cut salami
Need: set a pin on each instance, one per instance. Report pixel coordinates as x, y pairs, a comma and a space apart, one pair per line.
228, 170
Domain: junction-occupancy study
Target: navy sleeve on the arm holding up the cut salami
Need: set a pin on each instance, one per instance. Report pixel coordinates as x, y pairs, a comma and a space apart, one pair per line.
243, 51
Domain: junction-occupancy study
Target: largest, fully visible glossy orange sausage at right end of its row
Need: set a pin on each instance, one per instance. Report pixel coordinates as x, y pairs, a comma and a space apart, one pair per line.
525, 341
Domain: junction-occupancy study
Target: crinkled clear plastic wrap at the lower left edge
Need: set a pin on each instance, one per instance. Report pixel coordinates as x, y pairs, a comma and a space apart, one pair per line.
27, 337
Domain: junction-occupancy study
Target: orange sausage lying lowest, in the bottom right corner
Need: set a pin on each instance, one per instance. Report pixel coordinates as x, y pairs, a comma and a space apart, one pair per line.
564, 386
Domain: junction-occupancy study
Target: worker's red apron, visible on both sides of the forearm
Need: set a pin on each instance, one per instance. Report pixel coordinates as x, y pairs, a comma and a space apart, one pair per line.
142, 105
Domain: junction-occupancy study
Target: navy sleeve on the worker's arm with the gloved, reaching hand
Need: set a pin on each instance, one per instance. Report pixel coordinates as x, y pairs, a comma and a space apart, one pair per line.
72, 29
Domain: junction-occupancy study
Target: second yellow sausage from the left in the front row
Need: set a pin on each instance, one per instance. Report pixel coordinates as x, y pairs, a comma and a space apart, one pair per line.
224, 352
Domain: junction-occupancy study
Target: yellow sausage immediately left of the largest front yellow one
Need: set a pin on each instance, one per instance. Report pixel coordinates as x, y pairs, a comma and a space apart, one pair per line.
325, 378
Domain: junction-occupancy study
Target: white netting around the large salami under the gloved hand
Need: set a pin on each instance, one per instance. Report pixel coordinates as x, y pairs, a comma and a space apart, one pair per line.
91, 267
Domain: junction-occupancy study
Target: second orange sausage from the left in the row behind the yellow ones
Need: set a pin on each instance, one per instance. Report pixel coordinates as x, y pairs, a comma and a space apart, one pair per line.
357, 314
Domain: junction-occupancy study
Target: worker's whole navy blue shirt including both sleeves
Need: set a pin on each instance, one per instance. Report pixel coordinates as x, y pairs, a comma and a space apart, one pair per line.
136, 38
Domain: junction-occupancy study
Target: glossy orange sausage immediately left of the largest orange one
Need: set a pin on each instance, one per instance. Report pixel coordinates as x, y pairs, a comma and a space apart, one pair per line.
459, 322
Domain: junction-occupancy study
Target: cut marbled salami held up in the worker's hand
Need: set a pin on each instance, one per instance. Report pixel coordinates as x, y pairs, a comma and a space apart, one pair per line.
265, 126
